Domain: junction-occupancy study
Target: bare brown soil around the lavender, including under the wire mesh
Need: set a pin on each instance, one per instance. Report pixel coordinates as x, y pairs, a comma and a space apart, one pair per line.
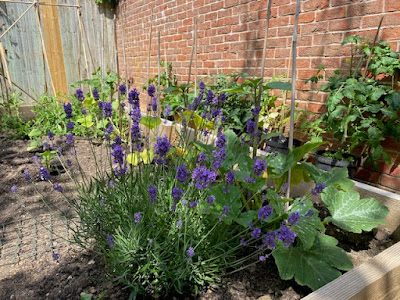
31, 270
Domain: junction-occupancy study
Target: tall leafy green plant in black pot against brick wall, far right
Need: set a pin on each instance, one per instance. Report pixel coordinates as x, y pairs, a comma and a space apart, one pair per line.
361, 109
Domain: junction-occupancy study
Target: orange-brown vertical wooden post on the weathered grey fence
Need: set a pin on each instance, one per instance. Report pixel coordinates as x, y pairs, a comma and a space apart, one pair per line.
52, 34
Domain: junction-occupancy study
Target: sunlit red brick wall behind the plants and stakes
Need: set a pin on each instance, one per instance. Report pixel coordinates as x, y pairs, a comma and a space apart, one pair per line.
230, 38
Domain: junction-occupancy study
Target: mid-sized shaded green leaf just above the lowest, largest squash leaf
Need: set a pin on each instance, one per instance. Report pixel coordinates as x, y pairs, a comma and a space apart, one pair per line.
308, 227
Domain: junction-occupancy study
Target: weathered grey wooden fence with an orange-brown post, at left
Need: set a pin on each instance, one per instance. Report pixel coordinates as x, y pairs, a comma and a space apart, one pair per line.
74, 38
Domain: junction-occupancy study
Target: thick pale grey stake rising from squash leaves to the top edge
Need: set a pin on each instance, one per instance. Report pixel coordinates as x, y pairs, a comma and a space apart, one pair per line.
292, 102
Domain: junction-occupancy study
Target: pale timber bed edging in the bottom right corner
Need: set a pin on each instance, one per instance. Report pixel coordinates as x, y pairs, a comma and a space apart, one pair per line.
377, 279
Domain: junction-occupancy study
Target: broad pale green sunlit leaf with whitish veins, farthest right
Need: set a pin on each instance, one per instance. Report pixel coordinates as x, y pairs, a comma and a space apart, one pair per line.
351, 213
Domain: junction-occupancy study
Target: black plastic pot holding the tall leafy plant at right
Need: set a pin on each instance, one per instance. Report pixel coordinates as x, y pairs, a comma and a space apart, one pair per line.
327, 163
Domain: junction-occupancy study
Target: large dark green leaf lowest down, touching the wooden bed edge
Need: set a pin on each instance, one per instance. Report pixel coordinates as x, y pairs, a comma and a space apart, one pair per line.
313, 267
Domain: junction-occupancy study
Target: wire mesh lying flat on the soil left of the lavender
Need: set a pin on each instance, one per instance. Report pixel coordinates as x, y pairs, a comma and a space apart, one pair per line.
30, 237
